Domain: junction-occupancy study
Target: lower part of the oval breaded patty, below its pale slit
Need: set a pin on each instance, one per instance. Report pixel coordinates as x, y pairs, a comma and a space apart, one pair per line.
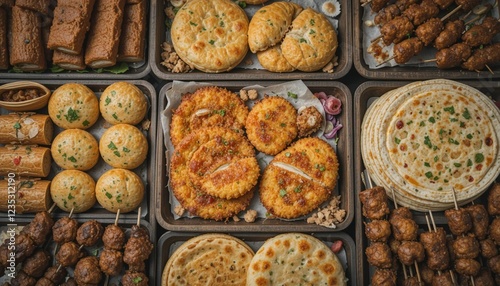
288, 195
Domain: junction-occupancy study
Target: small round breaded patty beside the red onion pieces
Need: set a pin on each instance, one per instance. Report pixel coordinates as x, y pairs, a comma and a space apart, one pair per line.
272, 124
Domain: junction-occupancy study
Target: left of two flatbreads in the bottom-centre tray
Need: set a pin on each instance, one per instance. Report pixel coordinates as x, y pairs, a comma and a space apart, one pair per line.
209, 259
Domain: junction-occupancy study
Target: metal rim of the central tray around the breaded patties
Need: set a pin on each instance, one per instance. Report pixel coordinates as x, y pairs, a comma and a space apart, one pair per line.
208, 225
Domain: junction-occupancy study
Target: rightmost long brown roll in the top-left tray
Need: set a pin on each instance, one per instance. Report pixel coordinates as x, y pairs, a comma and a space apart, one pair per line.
132, 42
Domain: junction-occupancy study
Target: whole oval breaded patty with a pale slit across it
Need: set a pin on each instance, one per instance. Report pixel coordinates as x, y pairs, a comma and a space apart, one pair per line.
299, 179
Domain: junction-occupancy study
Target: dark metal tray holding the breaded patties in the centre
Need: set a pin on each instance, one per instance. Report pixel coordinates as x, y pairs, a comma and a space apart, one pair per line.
344, 152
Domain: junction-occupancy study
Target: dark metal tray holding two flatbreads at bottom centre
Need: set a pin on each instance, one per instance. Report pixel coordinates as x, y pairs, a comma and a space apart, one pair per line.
170, 241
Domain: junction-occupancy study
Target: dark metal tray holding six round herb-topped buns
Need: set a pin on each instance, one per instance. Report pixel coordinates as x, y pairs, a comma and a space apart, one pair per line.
146, 171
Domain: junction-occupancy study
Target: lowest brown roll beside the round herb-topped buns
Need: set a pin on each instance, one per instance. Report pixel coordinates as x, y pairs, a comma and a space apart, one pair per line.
31, 195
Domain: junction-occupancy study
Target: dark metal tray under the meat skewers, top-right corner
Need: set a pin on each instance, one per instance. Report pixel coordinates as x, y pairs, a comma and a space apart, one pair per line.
405, 72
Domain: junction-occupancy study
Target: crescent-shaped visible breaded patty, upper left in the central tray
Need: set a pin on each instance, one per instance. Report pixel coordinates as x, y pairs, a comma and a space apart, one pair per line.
207, 107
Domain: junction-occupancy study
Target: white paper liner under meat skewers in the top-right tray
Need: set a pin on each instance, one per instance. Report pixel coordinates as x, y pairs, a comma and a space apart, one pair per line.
429, 52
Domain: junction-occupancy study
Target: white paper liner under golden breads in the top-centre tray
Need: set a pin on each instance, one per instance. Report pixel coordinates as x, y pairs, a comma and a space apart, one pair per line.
250, 61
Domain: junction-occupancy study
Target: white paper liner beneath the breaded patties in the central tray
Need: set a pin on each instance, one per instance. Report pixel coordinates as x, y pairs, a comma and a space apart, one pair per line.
304, 98
